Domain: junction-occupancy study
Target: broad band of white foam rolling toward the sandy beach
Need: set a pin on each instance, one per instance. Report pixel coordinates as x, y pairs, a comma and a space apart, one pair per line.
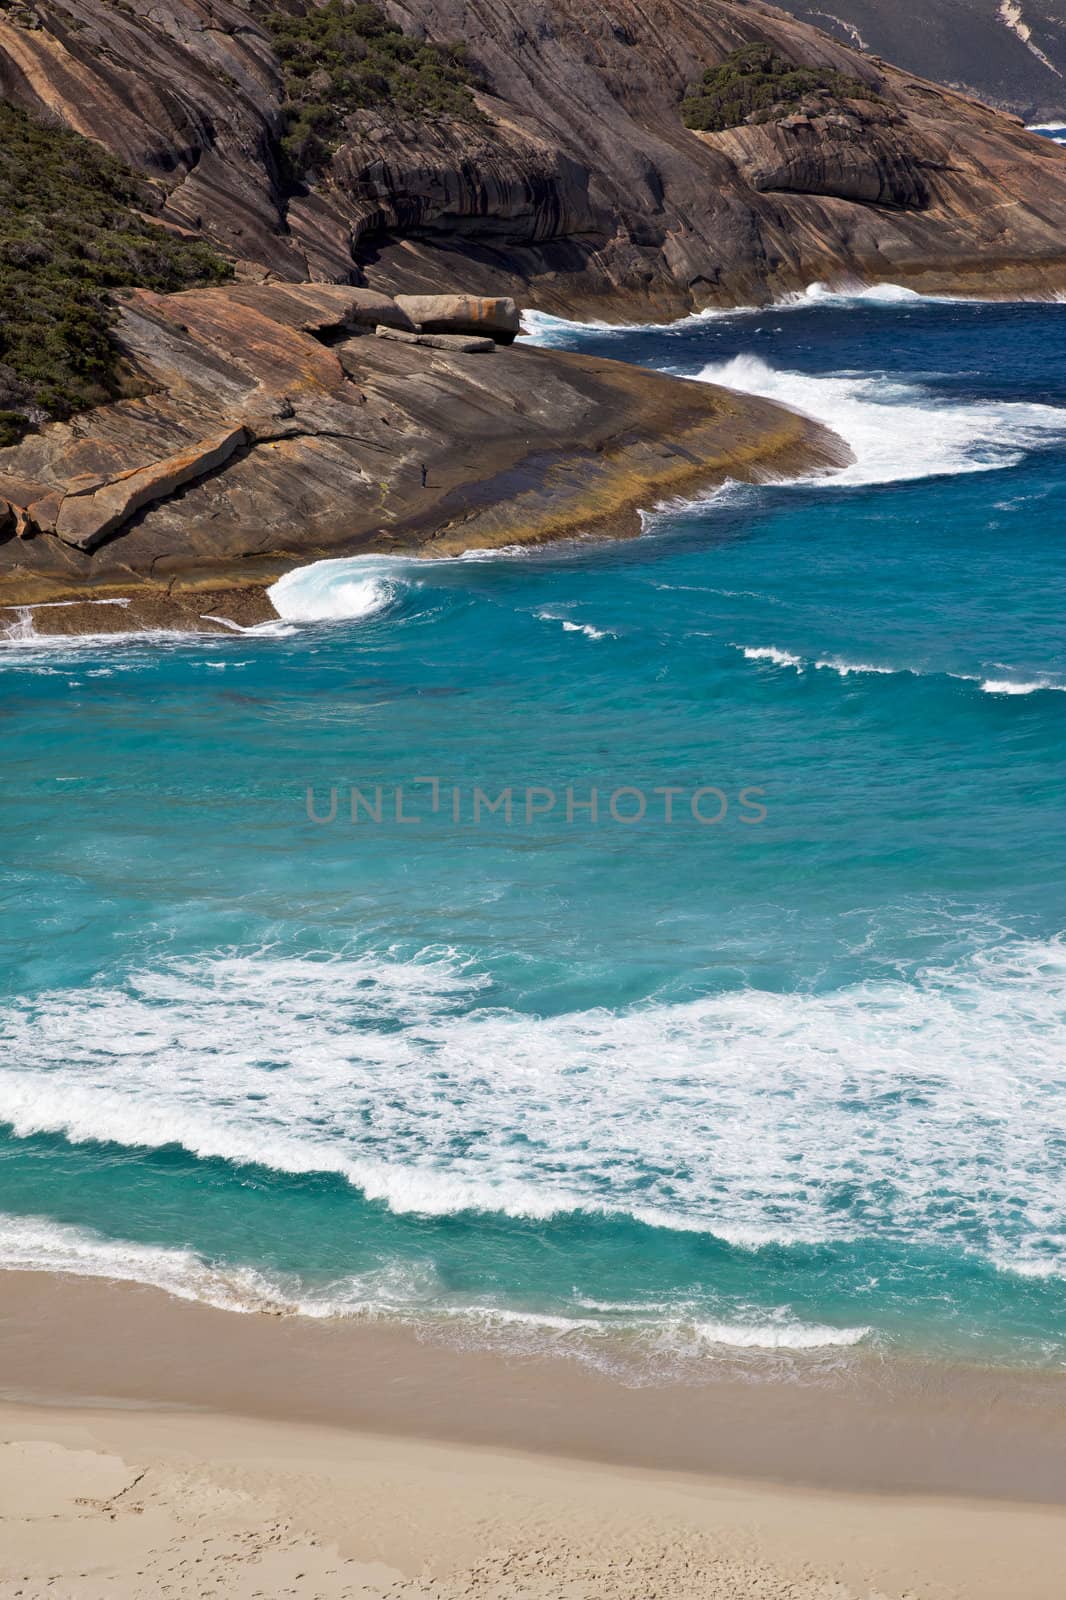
747, 1116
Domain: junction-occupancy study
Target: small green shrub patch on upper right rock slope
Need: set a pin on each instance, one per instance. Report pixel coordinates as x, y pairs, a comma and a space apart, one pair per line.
758, 84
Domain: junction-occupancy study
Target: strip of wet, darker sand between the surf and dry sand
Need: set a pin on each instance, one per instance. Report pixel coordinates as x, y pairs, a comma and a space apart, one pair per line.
873, 1425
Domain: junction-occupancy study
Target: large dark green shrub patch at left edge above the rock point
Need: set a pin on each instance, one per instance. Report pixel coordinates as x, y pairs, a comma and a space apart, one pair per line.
70, 233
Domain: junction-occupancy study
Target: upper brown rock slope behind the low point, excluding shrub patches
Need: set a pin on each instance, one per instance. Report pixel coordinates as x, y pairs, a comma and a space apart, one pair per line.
583, 183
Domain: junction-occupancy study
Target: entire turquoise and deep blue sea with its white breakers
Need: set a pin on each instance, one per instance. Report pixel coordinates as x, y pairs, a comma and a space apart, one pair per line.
787, 1073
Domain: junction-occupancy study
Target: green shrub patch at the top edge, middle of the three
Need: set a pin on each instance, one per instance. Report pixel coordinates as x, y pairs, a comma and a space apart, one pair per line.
348, 57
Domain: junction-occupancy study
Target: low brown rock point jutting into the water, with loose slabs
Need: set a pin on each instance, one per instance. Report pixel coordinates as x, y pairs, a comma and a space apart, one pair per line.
260, 446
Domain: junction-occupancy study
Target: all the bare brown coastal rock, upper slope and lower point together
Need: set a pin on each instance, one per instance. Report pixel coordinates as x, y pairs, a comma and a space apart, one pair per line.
279, 420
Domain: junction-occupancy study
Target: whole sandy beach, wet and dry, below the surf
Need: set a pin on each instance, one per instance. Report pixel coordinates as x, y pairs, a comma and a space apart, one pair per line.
177, 1450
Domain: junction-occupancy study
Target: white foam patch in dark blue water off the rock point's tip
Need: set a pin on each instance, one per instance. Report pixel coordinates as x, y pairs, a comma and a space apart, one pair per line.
900, 431
